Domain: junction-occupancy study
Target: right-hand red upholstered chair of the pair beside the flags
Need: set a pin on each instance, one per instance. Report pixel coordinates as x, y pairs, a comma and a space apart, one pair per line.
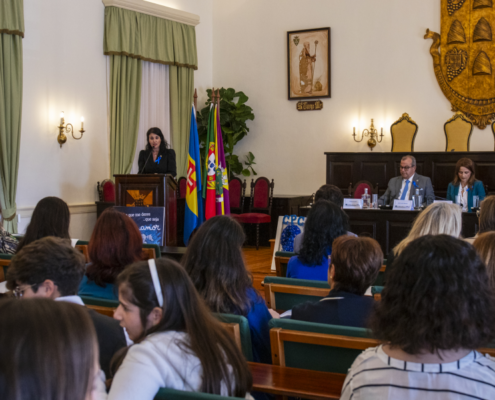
260, 208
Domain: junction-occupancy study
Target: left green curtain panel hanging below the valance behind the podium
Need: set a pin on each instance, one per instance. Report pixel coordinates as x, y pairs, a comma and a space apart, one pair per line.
125, 100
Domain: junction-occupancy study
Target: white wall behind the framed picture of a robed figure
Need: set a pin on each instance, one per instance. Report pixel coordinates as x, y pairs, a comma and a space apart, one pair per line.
381, 68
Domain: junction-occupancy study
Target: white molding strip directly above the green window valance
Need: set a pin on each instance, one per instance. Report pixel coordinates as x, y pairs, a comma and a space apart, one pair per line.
156, 10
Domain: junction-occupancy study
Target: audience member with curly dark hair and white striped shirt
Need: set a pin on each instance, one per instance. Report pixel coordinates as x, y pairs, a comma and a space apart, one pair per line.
436, 310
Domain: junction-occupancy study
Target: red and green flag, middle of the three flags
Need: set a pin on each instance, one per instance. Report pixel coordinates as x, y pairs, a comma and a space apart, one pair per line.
211, 165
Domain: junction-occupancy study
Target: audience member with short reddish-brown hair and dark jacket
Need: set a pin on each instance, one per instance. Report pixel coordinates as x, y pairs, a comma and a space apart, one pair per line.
356, 263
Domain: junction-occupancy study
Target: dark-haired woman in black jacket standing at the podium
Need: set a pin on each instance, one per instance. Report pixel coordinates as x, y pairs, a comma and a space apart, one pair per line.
157, 158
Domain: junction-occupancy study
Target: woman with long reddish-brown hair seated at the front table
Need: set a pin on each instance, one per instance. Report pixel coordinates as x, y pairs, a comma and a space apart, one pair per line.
465, 185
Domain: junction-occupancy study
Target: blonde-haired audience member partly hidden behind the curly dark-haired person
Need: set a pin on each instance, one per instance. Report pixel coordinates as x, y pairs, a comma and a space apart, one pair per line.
436, 219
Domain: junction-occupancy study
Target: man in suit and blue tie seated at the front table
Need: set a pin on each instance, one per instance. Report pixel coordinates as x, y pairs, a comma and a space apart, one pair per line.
403, 187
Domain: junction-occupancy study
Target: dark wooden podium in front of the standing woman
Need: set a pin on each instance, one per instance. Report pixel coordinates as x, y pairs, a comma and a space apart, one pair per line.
150, 190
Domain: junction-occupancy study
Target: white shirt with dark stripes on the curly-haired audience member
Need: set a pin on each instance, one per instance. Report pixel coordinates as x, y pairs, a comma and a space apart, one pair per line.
375, 375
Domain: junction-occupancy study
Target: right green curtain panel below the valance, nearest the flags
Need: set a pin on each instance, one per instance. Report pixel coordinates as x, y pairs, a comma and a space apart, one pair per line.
181, 98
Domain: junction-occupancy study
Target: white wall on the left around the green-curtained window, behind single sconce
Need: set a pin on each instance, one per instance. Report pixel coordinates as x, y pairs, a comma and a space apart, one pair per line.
65, 69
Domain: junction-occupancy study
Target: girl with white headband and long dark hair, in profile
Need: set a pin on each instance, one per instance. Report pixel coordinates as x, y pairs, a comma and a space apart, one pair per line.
180, 345
